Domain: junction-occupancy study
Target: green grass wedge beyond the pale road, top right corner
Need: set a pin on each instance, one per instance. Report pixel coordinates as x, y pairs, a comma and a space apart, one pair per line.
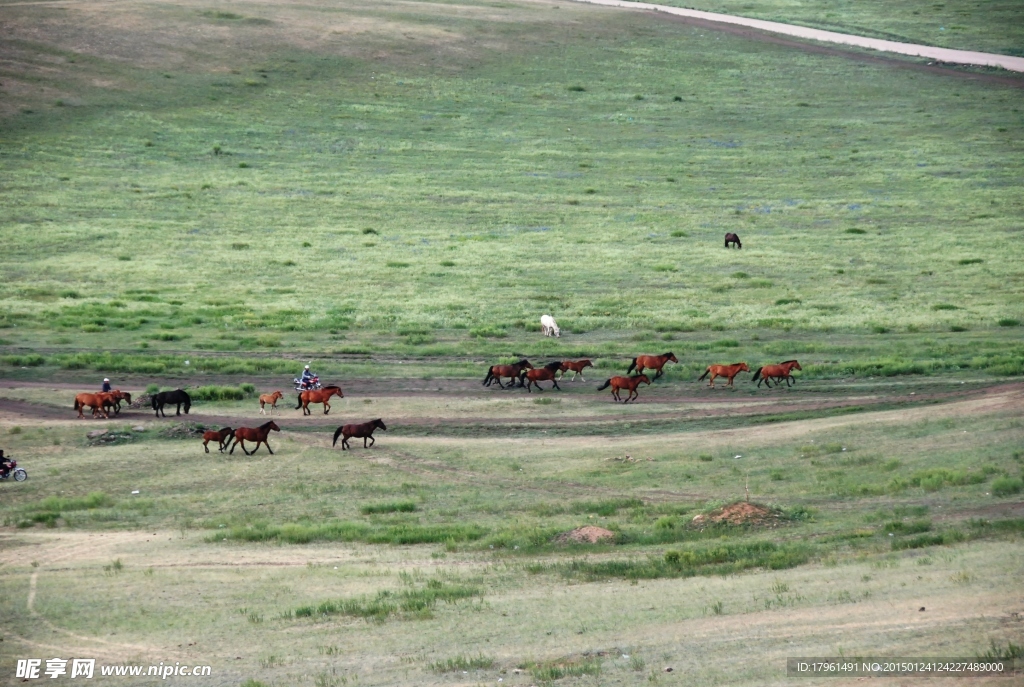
991, 26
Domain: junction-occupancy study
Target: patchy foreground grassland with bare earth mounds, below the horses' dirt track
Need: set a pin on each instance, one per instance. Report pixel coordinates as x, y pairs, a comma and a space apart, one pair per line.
435, 553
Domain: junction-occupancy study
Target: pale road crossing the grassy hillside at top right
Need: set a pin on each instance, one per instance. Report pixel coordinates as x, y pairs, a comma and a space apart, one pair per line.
942, 55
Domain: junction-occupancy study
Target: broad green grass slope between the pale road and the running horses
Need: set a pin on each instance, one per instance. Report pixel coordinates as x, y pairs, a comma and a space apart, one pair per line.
438, 198
